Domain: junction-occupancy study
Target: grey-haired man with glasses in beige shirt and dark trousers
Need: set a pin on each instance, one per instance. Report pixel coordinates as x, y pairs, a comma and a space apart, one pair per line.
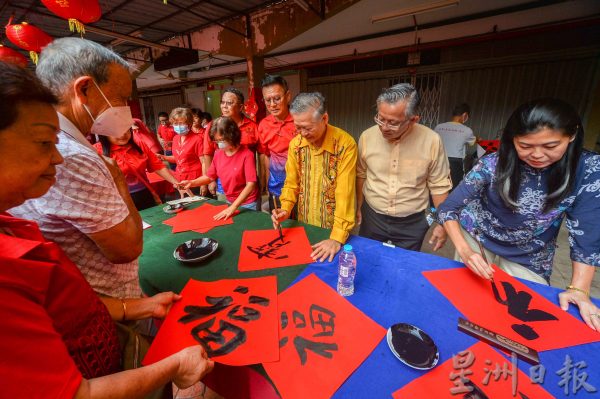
400, 164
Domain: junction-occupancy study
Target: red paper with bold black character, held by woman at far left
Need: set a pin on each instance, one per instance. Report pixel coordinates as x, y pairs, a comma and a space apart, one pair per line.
234, 320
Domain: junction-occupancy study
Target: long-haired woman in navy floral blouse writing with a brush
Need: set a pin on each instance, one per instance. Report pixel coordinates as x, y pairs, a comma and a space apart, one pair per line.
514, 201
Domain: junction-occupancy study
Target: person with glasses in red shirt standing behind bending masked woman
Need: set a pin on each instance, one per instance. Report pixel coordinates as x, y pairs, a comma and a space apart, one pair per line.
232, 103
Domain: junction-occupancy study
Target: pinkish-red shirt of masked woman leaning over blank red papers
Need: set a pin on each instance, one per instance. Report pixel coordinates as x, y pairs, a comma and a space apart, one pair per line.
233, 172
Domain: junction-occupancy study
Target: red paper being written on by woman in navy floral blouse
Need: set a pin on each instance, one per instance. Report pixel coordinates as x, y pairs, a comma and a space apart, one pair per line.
508, 307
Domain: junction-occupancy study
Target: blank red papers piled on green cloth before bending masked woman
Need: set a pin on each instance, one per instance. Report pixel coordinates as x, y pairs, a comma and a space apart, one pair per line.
200, 219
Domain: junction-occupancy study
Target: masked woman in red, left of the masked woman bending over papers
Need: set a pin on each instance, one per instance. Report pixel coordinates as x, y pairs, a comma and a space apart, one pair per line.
187, 147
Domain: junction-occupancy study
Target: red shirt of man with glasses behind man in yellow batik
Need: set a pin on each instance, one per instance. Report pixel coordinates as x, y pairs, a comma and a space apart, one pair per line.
274, 136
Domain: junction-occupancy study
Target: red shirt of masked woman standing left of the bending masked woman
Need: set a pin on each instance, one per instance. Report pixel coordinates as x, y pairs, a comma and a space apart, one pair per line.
187, 153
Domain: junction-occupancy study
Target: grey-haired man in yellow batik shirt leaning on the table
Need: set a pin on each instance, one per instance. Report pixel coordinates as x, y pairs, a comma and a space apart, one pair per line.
320, 175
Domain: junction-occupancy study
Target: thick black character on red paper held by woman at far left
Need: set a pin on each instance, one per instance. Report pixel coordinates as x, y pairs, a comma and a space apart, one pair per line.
228, 335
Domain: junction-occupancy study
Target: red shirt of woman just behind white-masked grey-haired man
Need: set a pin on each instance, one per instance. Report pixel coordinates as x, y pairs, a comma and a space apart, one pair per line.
134, 164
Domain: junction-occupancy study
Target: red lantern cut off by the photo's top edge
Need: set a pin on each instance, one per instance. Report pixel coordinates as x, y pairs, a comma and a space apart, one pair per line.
77, 12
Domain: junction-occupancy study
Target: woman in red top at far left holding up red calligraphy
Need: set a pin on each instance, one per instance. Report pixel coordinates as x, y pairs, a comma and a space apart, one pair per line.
58, 339
